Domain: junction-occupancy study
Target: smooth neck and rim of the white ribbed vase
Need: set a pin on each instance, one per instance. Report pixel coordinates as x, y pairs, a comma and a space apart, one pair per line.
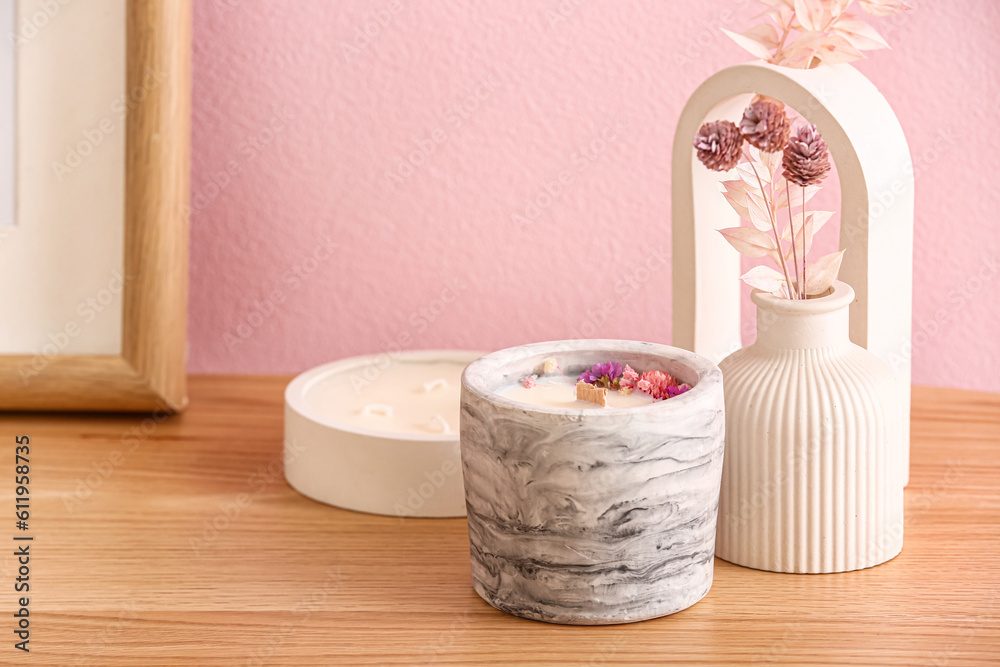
801, 325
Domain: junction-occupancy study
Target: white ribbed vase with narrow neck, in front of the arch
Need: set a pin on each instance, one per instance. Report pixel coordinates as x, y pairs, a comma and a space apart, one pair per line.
814, 428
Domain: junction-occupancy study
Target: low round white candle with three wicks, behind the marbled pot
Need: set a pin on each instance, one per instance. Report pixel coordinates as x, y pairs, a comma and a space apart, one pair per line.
379, 433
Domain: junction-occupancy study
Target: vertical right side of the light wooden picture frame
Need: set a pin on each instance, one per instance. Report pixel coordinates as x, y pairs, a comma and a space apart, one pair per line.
157, 182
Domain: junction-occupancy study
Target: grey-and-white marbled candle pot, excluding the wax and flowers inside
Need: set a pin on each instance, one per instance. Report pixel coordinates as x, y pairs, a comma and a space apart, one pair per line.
596, 515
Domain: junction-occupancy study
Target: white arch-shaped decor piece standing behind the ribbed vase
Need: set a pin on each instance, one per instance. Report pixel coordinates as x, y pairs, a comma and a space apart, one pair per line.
876, 183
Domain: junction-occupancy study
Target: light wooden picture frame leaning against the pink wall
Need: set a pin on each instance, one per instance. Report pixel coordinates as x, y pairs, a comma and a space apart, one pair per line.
149, 374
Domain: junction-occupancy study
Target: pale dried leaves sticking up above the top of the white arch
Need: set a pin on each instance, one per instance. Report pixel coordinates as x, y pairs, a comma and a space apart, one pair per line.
806, 33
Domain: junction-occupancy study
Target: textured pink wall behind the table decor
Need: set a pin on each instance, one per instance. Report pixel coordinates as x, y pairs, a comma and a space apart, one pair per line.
310, 242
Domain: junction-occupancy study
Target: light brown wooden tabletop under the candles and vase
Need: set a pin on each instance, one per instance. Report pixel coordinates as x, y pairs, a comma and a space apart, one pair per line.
177, 541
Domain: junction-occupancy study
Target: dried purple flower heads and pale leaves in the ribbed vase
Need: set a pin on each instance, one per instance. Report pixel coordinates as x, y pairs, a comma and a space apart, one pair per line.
777, 168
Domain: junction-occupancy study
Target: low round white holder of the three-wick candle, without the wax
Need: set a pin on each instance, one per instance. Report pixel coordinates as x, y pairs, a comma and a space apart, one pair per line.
366, 469
